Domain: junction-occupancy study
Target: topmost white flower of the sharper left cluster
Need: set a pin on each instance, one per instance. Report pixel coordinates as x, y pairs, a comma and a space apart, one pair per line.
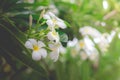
53, 21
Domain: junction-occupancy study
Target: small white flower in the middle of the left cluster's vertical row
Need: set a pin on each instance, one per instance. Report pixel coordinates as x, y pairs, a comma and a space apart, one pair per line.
53, 36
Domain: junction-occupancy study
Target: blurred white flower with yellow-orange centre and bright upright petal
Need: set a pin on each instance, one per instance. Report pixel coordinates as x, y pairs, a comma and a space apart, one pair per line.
87, 49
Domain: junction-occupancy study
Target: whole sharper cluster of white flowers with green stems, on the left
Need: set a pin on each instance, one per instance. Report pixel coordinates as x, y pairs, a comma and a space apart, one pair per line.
50, 41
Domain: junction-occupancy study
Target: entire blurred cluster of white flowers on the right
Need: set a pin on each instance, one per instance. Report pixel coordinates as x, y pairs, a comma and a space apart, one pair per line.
92, 44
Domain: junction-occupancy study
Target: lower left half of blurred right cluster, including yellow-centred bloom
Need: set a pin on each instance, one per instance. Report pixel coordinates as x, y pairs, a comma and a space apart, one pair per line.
85, 48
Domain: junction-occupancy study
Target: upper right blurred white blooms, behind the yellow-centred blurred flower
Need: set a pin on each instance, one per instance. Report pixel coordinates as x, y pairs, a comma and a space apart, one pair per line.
102, 40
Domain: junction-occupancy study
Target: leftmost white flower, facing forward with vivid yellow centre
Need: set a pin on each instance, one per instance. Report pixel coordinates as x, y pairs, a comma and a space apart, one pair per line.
37, 47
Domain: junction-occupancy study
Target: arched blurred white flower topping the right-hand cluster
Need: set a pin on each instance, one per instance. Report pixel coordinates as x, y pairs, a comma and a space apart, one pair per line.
87, 30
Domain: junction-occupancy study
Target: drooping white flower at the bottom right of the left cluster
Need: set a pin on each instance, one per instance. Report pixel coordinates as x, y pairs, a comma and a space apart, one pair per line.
54, 54
